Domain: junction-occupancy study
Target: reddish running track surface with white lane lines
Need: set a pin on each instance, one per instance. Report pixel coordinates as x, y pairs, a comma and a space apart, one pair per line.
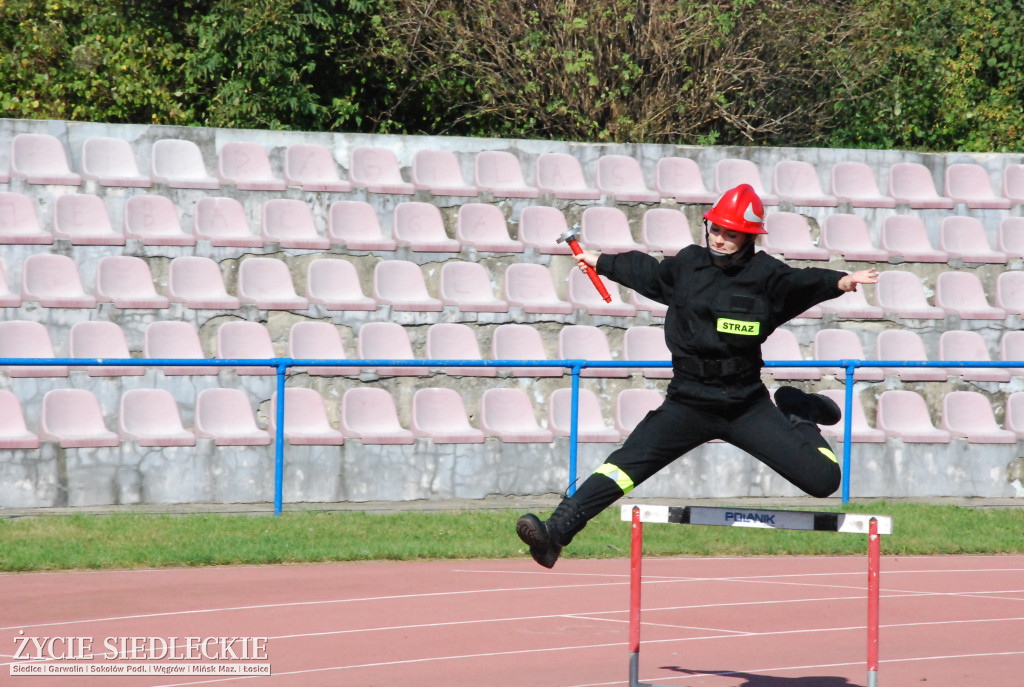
707, 622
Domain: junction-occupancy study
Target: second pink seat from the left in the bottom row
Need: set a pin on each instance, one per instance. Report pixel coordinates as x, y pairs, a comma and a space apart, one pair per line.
74, 418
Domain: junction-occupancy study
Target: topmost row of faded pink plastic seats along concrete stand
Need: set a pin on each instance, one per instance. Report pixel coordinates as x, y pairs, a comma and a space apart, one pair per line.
42, 159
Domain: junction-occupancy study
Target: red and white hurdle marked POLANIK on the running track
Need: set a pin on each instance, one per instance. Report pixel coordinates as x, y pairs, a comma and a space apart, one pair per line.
873, 526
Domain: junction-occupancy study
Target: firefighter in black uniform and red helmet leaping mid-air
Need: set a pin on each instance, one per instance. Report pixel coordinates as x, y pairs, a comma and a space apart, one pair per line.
724, 299
